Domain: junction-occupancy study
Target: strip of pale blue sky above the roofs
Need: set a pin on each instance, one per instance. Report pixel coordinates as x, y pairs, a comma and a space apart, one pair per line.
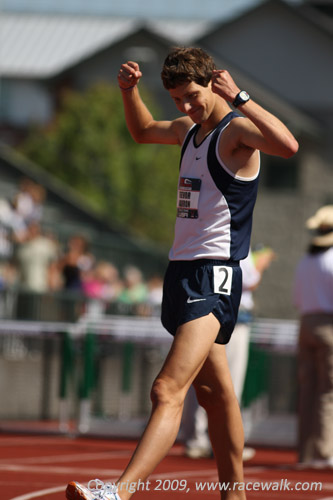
180, 9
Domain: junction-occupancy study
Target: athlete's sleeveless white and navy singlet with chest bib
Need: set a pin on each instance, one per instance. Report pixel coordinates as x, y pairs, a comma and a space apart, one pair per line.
214, 206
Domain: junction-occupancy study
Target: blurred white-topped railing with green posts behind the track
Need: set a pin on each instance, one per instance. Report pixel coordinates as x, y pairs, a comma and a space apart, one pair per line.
94, 375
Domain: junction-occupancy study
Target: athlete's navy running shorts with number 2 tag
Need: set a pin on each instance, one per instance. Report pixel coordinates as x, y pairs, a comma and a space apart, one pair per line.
193, 289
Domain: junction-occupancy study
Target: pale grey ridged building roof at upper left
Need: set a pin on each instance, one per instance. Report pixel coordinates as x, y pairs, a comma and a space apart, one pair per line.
42, 46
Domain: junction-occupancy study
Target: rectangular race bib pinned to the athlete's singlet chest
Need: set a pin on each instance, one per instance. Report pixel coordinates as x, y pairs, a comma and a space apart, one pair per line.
188, 197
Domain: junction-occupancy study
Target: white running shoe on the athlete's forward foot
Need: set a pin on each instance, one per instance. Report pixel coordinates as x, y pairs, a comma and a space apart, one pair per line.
97, 490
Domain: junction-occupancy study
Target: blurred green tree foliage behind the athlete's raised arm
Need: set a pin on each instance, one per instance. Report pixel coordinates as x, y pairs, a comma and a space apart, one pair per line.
89, 147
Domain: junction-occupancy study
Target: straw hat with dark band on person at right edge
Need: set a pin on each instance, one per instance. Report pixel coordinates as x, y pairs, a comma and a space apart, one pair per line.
322, 223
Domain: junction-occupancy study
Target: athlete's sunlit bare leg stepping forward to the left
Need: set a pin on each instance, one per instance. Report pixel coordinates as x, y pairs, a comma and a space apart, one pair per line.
188, 353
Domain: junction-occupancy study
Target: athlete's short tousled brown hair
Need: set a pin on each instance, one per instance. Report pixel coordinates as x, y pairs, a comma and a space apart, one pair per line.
187, 65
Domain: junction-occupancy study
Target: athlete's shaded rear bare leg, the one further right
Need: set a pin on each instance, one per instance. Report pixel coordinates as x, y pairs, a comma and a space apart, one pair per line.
215, 393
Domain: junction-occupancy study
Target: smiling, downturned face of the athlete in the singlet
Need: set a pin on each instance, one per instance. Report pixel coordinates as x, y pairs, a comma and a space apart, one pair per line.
194, 100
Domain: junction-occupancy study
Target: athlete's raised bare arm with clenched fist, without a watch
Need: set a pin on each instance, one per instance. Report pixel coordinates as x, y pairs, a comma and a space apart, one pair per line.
140, 122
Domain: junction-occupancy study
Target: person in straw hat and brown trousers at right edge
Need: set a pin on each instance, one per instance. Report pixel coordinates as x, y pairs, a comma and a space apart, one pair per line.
313, 296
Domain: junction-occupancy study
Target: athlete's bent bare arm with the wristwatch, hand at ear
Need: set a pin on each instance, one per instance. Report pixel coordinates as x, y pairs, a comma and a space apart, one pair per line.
263, 130
